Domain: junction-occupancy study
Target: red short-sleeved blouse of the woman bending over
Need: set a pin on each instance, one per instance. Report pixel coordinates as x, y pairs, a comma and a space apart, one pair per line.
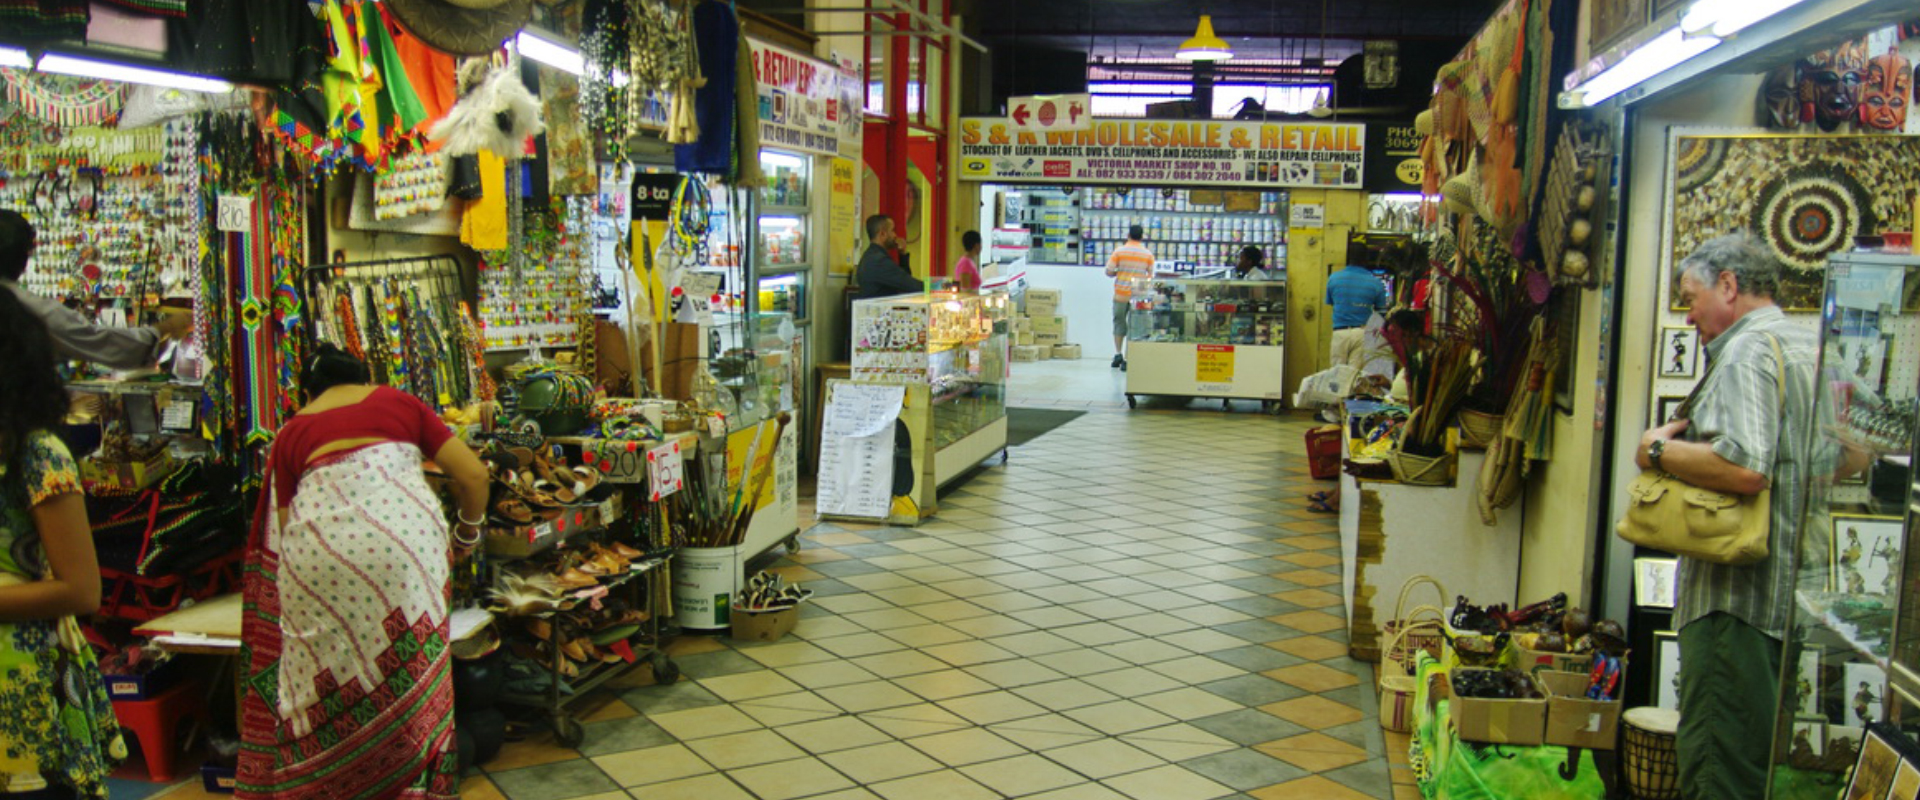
387, 413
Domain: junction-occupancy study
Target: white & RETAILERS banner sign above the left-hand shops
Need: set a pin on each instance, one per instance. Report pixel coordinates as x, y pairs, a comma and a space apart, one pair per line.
805, 103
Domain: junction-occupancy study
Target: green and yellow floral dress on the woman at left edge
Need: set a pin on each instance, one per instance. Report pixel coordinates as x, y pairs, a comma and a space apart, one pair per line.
57, 722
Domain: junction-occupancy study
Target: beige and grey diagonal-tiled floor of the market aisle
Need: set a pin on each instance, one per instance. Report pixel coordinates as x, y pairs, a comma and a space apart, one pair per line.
1136, 607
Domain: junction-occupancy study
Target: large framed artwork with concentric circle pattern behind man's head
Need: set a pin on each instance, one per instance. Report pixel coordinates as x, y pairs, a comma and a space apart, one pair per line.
1804, 197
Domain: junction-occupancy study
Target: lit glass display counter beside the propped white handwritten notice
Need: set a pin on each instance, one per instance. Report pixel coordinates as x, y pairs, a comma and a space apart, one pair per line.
957, 346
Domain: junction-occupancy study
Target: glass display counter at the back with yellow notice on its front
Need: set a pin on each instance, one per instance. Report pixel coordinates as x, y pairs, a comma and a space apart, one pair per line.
1209, 339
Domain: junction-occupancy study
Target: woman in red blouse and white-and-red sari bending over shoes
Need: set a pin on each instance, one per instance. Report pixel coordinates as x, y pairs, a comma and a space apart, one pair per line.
347, 598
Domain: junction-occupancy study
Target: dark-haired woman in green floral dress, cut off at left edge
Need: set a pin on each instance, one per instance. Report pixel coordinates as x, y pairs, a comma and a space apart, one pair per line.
59, 736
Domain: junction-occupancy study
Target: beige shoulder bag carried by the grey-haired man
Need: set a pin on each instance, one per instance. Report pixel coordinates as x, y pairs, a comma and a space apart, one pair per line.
1671, 515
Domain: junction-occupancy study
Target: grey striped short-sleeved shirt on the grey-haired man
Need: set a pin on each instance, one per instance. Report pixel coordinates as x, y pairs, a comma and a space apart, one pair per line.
1739, 412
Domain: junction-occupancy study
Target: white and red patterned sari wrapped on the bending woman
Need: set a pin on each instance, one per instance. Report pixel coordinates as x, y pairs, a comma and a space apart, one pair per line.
347, 638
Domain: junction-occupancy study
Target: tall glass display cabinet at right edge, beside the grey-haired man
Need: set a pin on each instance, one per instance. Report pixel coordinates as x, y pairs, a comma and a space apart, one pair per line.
1854, 646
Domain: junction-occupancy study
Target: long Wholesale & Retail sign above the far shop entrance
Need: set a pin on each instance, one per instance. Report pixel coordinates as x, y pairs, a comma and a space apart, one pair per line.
1303, 154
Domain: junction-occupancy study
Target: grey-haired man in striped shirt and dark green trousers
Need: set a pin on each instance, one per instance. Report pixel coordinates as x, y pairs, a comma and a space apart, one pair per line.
1742, 431
